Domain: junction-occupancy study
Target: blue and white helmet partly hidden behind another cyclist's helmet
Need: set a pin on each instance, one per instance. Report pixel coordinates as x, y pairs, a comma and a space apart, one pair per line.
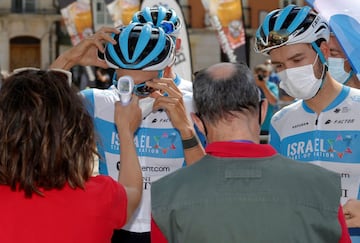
159, 16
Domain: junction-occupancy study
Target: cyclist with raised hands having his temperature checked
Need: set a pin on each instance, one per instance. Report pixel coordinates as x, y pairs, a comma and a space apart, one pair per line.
166, 137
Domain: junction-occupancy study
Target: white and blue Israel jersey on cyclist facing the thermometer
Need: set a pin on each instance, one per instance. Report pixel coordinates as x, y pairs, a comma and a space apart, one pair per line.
157, 142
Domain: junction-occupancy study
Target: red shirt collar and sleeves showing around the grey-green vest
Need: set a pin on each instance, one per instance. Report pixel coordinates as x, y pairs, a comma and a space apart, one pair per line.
238, 150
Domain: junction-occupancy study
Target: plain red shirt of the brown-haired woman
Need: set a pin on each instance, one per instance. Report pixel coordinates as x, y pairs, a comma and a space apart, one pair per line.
64, 216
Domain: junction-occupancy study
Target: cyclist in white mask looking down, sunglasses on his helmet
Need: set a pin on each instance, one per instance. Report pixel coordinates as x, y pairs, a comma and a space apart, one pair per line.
323, 126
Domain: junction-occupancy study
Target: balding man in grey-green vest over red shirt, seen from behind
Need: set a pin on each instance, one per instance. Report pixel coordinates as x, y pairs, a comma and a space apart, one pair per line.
243, 191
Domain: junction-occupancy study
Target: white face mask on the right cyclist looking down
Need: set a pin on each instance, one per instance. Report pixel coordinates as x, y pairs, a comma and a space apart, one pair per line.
300, 82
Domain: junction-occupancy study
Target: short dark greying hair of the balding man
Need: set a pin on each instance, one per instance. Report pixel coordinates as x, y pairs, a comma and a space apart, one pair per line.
217, 98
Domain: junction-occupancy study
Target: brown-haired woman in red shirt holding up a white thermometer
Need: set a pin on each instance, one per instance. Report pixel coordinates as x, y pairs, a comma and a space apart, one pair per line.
47, 157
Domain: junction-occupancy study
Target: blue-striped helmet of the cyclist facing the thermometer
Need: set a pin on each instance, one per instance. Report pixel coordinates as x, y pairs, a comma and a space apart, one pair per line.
140, 47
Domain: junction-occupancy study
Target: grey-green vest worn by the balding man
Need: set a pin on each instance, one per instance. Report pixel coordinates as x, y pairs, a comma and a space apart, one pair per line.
271, 199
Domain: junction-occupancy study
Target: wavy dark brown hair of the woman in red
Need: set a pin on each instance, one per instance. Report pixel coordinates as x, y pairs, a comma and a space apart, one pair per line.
47, 137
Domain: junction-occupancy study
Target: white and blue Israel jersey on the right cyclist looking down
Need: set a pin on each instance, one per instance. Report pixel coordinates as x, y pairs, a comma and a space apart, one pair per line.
330, 139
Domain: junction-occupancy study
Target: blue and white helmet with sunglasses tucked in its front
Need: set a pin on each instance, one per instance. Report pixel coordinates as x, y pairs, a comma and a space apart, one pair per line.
290, 25
